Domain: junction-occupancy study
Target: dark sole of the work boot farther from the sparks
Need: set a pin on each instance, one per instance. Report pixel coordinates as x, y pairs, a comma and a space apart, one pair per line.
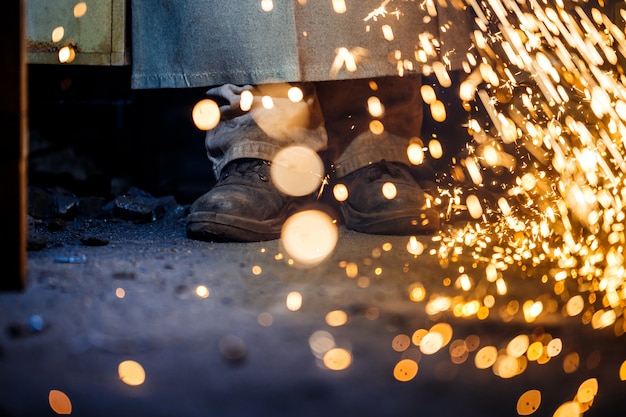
219, 227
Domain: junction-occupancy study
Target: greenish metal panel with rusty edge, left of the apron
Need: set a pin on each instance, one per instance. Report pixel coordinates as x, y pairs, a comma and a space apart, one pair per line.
96, 37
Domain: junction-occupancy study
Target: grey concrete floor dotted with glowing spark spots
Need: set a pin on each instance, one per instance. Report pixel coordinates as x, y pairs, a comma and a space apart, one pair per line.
241, 351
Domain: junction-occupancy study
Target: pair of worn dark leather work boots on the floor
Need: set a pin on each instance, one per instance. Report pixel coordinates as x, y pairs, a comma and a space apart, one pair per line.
245, 206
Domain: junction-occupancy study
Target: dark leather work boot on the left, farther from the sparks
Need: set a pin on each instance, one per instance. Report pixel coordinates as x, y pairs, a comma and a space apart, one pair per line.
243, 206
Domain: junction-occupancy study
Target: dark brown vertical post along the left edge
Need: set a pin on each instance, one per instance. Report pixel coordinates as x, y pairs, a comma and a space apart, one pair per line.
13, 146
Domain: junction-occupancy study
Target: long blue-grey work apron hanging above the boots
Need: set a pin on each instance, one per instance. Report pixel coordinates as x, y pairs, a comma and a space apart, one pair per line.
197, 43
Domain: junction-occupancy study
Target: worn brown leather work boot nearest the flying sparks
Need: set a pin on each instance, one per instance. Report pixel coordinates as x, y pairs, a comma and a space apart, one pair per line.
384, 198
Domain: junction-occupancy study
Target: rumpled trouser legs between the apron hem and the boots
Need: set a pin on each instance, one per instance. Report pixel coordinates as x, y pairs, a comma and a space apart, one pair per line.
353, 123
